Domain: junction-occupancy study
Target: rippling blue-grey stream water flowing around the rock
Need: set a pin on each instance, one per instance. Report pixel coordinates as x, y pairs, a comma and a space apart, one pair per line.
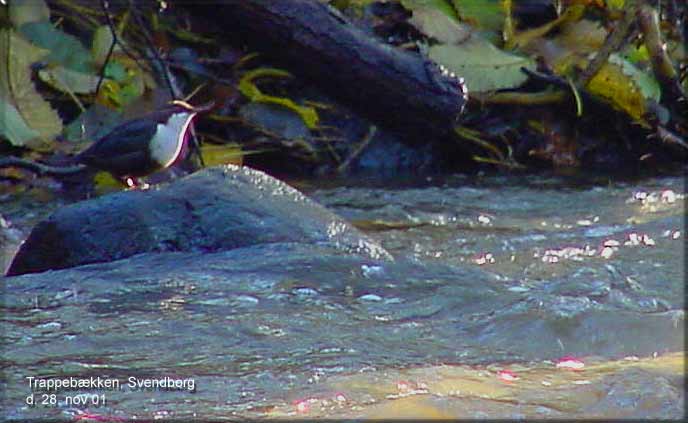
509, 297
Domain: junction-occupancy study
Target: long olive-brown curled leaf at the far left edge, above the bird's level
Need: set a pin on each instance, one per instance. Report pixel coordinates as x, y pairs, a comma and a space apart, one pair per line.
17, 90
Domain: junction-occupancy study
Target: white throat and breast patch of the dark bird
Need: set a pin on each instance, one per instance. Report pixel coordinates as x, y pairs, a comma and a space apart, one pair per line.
169, 138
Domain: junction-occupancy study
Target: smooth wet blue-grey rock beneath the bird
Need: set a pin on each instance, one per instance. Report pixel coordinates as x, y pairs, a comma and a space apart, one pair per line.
217, 209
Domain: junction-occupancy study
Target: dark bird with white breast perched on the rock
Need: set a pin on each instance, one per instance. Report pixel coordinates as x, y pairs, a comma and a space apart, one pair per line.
141, 146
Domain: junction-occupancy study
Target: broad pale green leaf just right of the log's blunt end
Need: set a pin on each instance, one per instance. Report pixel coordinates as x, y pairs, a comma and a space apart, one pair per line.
483, 66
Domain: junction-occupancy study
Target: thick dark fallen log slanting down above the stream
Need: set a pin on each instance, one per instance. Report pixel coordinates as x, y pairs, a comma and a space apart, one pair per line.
400, 90
